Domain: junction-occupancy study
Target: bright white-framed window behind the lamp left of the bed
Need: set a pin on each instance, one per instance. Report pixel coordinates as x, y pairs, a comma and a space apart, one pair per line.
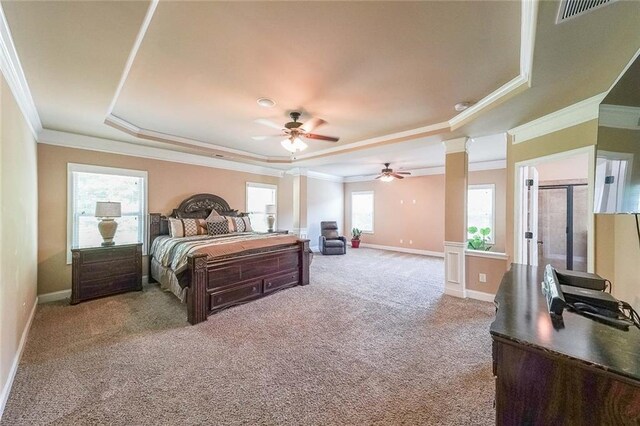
88, 184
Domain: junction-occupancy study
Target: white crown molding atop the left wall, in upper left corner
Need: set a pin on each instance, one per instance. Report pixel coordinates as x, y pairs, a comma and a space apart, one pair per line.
16, 80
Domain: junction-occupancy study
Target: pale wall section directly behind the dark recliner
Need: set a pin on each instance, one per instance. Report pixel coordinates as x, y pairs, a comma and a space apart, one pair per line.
325, 201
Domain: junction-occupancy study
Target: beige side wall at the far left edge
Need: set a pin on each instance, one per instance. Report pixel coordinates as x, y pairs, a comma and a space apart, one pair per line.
18, 231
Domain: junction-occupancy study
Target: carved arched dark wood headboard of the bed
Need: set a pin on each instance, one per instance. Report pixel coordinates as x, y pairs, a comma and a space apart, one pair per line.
198, 206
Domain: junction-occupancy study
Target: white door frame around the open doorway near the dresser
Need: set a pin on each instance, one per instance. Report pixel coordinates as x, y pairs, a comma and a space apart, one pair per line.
518, 208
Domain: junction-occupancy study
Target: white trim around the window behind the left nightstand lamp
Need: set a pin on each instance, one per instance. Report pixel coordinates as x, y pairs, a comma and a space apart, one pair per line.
89, 168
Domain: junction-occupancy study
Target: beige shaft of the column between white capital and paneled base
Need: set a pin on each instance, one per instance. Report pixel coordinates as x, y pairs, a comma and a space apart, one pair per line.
455, 197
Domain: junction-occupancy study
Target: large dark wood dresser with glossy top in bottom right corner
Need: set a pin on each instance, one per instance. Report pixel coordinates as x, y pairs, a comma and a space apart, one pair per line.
571, 372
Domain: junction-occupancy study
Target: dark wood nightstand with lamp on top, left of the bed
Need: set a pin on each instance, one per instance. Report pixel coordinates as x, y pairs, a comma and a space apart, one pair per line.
102, 271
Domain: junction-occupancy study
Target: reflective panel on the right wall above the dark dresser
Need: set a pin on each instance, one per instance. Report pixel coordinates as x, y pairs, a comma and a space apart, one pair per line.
617, 180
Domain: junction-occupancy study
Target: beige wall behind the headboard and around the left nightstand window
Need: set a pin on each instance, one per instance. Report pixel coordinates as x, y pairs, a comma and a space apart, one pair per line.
168, 184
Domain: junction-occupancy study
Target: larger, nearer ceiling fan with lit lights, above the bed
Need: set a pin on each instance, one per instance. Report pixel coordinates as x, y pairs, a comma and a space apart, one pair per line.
293, 131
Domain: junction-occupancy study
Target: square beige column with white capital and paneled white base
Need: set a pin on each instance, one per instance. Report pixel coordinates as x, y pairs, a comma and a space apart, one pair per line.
455, 214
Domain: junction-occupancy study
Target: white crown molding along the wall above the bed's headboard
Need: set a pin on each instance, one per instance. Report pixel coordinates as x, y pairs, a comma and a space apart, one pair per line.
72, 140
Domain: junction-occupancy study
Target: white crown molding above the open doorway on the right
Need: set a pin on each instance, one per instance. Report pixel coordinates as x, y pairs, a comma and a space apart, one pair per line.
572, 115
